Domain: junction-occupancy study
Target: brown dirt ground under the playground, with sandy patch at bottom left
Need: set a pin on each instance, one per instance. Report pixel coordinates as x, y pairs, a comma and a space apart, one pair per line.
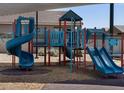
40, 75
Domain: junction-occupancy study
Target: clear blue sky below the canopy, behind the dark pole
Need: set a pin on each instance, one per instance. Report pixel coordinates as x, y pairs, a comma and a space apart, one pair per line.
98, 15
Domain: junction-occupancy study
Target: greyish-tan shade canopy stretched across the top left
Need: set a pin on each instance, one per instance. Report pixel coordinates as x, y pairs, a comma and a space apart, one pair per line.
16, 8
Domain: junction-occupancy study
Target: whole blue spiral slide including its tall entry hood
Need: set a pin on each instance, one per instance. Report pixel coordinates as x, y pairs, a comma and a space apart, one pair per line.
13, 46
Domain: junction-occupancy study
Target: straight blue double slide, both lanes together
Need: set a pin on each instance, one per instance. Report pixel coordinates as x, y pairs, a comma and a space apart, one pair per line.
103, 61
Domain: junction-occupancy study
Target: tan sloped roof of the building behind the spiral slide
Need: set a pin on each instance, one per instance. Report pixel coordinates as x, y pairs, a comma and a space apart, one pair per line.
44, 17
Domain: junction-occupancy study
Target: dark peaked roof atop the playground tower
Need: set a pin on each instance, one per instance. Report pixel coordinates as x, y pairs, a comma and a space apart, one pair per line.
69, 16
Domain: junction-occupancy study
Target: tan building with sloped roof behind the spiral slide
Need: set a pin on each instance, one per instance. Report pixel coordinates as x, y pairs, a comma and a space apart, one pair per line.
46, 18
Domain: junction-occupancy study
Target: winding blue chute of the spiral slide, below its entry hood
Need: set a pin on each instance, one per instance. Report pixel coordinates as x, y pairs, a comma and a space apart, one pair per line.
13, 46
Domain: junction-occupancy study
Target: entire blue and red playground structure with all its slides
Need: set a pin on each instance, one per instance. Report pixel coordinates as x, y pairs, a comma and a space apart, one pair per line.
70, 41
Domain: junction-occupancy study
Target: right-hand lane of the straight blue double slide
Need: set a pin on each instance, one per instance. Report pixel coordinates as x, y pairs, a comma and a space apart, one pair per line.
109, 62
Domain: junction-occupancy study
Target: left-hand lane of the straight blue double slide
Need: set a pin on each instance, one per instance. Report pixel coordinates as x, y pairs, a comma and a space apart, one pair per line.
99, 62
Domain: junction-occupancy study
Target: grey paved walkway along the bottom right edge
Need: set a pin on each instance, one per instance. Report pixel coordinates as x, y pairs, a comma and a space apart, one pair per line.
79, 87
